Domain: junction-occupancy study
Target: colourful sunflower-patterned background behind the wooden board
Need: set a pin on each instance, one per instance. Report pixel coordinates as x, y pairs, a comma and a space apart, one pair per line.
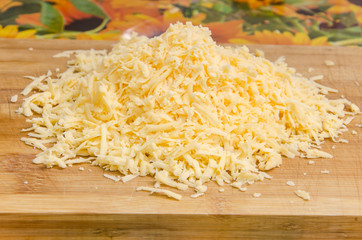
311, 22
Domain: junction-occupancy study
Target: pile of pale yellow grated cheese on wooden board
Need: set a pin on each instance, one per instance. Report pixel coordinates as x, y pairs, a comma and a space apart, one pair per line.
180, 108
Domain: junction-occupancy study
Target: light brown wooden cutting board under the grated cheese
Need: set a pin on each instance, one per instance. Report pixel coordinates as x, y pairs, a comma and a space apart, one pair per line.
46, 203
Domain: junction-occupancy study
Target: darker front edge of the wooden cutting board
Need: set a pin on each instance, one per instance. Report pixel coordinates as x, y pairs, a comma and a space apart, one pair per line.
181, 226
